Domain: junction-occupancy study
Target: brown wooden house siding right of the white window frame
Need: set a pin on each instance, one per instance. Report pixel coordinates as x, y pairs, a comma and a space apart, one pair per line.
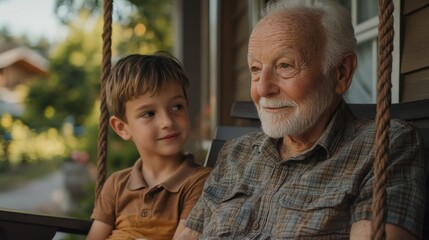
415, 51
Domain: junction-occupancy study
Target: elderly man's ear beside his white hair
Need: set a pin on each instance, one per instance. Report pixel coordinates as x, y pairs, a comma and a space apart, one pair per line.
345, 73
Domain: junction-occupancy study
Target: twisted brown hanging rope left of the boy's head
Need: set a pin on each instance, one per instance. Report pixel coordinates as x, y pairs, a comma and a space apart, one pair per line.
104, 113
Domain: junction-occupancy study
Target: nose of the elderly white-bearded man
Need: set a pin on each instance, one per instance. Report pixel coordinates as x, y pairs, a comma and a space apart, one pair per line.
267, 85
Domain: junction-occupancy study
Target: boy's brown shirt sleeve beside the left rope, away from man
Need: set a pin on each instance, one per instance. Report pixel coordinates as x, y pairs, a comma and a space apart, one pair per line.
104, 209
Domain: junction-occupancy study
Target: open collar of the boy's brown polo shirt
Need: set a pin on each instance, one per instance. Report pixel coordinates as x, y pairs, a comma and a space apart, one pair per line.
172, 184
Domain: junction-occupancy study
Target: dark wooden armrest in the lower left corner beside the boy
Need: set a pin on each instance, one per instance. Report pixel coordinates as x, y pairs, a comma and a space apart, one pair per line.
25, 225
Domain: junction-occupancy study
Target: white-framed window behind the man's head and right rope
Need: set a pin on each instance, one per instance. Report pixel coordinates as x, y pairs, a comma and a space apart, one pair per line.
364, 14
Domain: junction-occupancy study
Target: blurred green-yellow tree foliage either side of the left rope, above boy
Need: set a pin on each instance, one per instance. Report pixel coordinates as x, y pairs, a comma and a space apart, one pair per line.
72, 86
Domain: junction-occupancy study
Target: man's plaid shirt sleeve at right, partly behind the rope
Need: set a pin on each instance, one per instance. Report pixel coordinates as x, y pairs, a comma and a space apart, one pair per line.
405, 182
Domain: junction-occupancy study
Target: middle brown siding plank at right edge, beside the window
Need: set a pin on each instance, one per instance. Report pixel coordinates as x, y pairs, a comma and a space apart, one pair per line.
415, 54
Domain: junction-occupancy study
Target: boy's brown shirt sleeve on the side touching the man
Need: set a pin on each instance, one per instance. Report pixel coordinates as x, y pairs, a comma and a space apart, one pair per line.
193, 191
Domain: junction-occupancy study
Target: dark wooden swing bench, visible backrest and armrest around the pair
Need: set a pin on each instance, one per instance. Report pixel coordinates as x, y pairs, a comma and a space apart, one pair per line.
25, 225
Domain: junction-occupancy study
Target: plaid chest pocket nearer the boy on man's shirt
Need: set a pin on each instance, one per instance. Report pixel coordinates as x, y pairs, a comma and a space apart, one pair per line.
230, 209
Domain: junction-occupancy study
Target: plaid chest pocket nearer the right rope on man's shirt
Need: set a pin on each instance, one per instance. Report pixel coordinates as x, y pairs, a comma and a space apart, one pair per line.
310, 215
